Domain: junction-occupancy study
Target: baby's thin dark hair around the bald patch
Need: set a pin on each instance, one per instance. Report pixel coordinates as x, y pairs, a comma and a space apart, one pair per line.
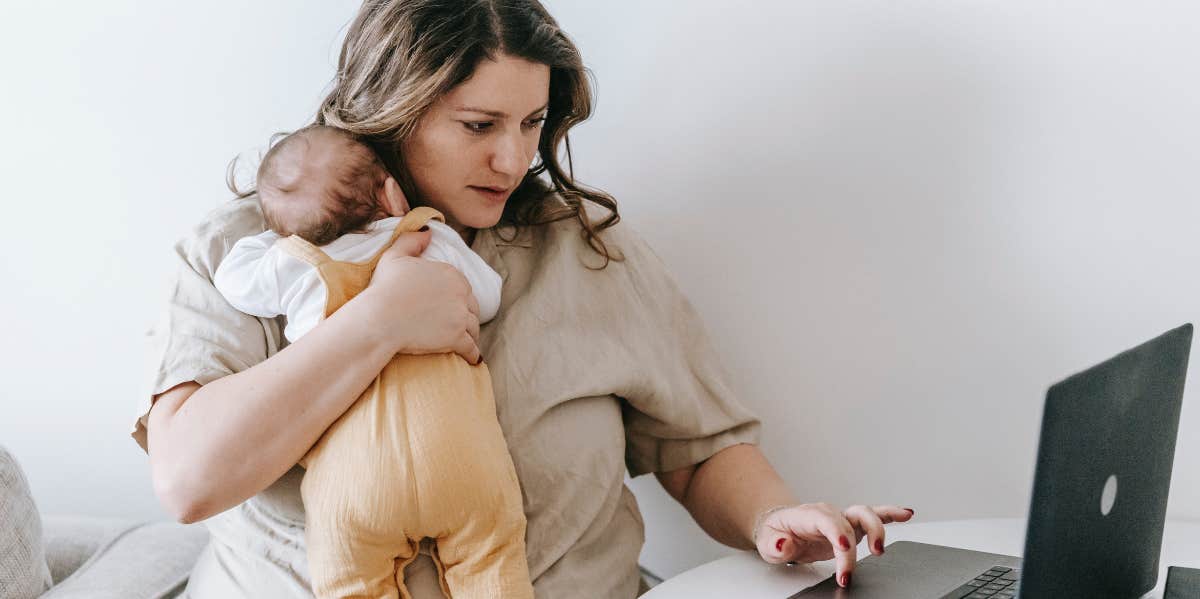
346, 206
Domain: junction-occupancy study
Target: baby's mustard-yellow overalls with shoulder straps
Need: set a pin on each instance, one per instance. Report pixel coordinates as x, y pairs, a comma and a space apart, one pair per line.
419, 454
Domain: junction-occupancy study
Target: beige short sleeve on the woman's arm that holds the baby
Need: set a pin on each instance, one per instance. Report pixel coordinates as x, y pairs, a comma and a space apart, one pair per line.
199, 336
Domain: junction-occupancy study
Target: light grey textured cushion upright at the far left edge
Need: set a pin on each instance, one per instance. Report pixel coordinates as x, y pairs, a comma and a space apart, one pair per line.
23, 571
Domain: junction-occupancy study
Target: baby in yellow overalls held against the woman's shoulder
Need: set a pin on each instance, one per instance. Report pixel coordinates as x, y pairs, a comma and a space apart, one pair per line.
421, 453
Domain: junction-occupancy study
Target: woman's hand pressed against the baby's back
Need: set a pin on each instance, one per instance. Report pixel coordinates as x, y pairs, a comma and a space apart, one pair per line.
423, 307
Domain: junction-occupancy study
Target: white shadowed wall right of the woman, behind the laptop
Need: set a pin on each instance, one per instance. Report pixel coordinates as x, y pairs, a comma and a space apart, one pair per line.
903, 221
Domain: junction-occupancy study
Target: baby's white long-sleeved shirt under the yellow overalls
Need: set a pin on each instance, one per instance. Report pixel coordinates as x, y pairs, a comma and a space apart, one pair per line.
261, 279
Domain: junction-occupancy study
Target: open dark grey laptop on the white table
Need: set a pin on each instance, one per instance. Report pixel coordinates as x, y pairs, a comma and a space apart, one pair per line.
1100, 496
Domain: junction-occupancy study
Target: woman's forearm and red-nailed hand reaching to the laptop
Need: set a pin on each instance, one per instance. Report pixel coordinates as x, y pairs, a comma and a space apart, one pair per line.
740, 500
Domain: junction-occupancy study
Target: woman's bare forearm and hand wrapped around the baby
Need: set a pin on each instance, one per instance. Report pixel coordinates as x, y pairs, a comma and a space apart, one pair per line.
217, 446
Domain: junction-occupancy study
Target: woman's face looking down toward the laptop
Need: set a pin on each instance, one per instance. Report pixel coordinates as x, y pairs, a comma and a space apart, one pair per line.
477, 142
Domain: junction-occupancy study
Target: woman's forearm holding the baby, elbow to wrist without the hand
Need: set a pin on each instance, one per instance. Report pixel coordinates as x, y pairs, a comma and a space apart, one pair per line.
215, 446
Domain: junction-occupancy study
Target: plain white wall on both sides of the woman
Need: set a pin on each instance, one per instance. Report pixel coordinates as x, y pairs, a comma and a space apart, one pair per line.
901, 221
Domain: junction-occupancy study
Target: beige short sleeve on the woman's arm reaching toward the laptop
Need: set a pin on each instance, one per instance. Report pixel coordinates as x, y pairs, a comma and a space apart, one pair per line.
681, 411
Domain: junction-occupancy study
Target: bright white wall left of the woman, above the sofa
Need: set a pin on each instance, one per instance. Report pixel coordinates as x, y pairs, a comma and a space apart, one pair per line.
121, 121
